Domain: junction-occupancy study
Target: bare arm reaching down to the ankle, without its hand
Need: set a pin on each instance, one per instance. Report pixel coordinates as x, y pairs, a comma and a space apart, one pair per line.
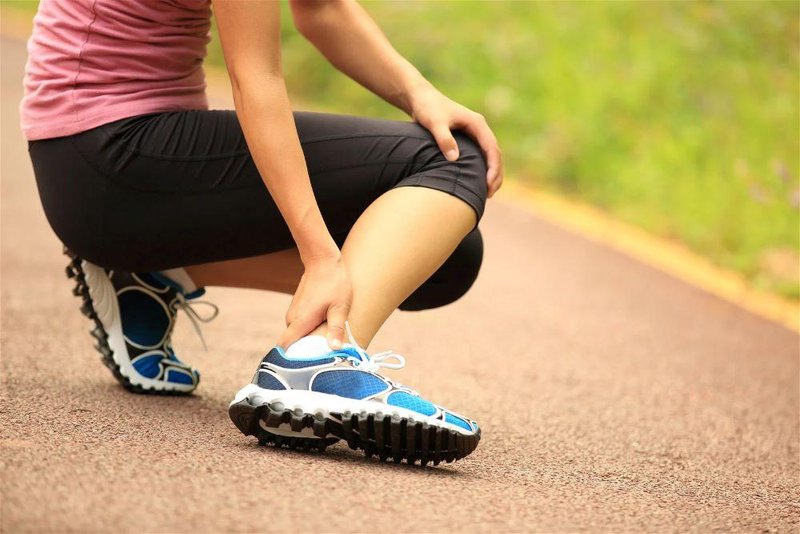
250, 35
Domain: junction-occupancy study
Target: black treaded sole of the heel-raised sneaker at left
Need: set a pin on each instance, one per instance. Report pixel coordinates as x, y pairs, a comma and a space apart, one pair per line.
75, 271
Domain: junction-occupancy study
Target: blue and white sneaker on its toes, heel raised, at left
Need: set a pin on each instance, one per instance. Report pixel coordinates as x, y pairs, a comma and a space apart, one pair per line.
134, 315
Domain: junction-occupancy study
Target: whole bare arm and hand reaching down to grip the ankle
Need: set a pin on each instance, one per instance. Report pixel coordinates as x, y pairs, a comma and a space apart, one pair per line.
250, 36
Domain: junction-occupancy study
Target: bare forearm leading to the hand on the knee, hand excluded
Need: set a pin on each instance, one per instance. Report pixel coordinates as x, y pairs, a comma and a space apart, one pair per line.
348, 37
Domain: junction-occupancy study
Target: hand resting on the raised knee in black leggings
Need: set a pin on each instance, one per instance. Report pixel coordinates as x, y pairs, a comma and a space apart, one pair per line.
439, 114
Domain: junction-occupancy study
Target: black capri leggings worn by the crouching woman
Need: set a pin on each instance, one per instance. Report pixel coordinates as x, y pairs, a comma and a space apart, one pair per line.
178, 188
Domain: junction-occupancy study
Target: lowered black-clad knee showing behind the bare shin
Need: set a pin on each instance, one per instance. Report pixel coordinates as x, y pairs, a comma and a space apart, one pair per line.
453, 279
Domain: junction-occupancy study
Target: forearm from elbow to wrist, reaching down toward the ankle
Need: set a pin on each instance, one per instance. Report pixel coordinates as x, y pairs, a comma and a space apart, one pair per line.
279, 158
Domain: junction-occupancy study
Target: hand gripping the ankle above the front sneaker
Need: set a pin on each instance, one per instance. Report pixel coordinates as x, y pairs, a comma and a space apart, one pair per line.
324, 294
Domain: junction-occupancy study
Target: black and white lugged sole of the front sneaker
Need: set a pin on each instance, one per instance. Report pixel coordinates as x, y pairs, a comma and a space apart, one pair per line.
387, 436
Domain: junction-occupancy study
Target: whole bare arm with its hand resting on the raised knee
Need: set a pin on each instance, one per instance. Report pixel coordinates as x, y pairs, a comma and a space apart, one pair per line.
348, 37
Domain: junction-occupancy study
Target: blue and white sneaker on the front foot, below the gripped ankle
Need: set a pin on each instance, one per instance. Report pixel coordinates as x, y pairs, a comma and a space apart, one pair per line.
310, 403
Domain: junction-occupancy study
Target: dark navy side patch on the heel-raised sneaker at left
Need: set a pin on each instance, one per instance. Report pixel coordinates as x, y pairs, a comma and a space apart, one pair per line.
144, 319
